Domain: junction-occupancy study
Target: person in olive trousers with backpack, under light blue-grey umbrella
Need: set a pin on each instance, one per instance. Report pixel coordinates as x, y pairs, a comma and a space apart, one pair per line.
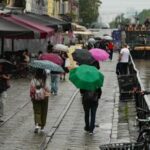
39, 93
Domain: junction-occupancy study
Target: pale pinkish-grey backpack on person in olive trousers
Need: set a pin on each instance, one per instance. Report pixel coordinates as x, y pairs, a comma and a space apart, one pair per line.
39, 90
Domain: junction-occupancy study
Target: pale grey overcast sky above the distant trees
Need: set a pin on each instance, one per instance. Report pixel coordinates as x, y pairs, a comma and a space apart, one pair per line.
110, 8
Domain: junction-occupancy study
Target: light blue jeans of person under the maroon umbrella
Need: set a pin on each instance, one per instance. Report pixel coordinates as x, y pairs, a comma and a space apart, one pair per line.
54, 83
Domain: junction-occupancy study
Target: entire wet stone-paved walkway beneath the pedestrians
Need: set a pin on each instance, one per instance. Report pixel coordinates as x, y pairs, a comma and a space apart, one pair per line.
64, 128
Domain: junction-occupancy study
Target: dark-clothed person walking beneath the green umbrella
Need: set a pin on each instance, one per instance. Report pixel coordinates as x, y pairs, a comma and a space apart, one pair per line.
90, 103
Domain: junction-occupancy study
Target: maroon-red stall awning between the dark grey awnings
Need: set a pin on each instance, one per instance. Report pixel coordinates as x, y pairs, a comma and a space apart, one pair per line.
40, 31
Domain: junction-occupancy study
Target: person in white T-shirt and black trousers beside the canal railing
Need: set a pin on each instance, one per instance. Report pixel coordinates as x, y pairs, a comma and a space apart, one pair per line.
124, 59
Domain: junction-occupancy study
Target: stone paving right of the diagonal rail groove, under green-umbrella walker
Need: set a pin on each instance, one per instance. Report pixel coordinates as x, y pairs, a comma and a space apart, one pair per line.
71, 136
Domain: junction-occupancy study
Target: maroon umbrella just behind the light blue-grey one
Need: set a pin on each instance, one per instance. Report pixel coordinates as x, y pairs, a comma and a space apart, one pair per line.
55, 58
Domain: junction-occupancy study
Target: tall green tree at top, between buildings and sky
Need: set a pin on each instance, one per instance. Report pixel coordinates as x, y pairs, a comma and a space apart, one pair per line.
88, 10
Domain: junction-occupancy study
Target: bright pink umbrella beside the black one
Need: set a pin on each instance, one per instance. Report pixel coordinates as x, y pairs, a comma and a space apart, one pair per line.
99, 54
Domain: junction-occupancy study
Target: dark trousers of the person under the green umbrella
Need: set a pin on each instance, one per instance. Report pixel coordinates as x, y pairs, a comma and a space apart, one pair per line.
90, 116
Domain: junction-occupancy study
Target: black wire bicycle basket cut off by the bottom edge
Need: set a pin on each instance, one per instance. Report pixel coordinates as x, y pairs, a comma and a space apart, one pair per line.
122, 146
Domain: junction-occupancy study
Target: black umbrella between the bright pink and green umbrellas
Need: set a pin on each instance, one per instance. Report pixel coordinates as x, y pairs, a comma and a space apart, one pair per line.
83, 56
